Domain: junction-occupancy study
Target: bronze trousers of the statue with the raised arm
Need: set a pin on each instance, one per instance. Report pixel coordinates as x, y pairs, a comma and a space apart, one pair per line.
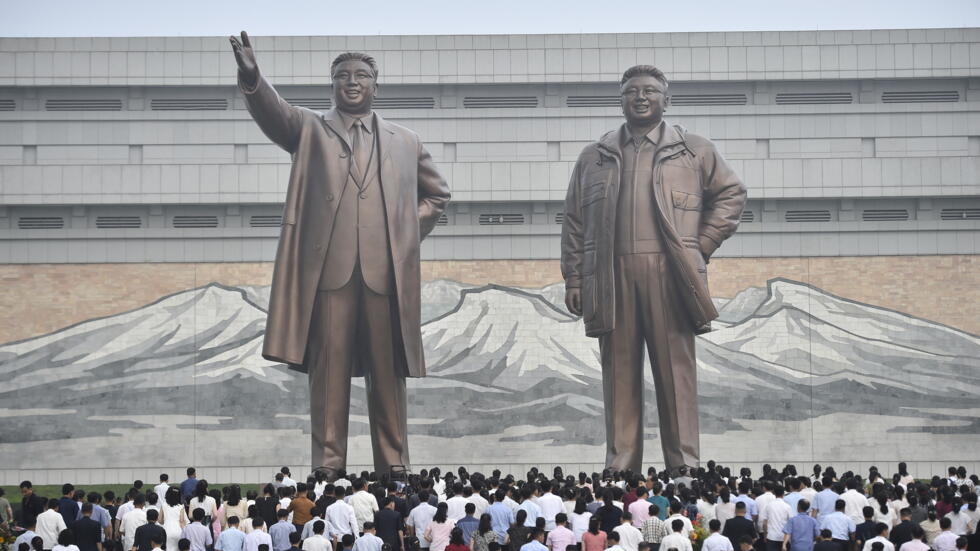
350, 323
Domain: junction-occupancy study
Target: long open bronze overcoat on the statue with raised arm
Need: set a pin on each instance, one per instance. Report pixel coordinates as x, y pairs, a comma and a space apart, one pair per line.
414, 197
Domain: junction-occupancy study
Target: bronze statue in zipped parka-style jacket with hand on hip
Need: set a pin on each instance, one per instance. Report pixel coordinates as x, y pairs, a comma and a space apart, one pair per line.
646, 207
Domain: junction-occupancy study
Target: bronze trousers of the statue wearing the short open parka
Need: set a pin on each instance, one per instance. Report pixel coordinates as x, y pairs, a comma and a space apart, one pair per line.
649, 310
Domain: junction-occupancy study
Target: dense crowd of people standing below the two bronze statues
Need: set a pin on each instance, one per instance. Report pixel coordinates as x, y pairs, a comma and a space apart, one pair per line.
704, 509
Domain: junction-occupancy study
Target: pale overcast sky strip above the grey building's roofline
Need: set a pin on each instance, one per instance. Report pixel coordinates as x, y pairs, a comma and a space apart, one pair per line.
309, 17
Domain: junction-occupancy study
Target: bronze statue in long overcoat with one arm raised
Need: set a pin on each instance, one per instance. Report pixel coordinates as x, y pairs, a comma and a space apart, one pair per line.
363, 193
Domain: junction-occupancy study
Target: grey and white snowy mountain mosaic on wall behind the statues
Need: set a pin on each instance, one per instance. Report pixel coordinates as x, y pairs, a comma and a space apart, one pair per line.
789, 372
